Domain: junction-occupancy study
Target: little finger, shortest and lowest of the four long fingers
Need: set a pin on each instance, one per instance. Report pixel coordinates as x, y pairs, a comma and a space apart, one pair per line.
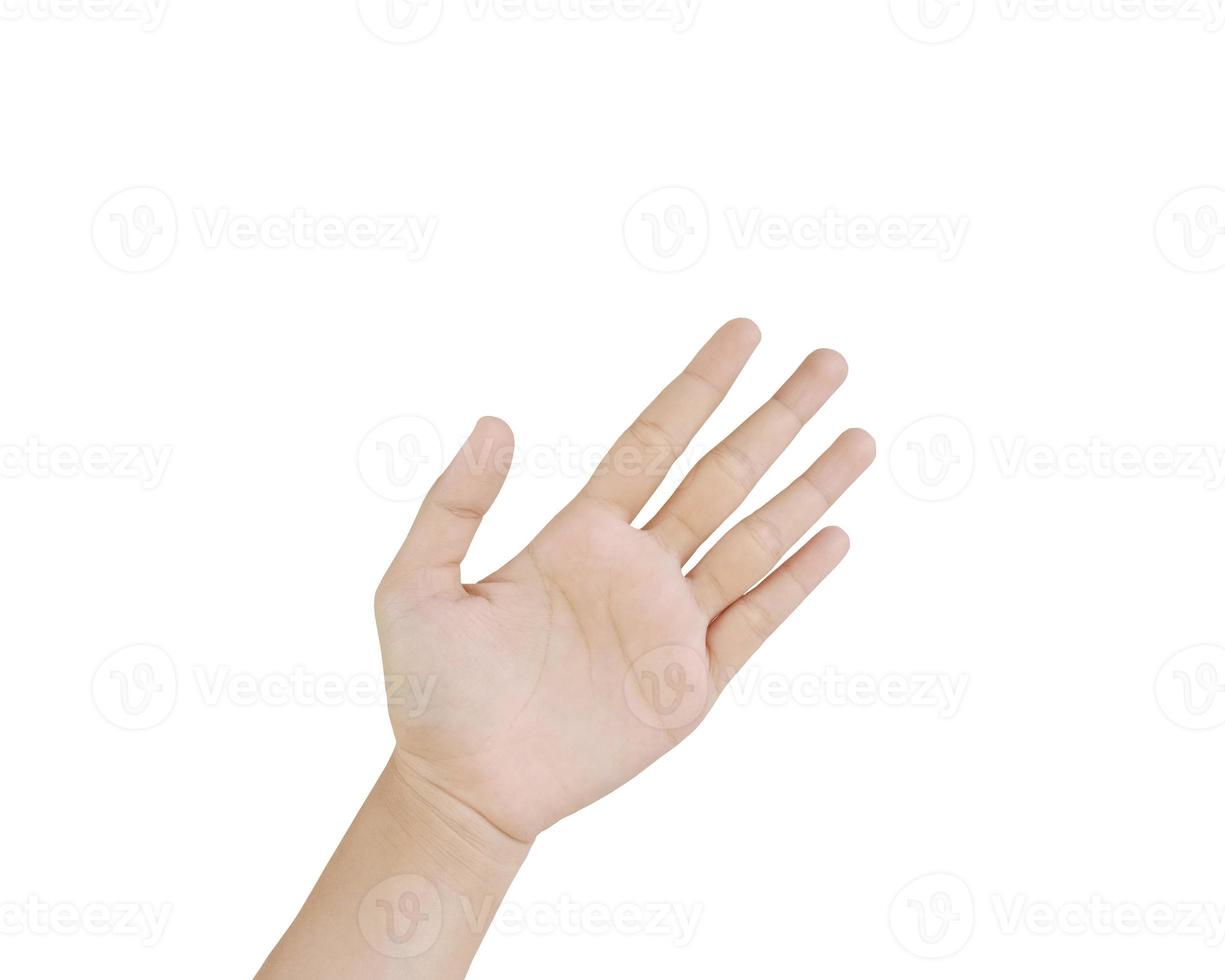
745, 625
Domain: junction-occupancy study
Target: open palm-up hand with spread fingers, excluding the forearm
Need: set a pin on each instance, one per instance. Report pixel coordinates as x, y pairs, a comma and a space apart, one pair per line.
592, 654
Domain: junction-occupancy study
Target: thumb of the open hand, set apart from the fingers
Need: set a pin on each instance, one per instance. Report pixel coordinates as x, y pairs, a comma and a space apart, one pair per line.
453, 511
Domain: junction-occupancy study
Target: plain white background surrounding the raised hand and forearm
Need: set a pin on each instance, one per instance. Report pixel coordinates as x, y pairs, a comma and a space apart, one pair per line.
1075, 318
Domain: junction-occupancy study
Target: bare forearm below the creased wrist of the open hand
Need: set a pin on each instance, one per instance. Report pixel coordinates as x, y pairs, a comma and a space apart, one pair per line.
410, 892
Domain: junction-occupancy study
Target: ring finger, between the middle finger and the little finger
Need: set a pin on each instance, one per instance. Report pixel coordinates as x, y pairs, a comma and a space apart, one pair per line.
748, 553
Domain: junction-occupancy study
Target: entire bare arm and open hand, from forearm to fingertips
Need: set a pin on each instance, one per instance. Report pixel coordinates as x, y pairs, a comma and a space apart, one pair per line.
573, 668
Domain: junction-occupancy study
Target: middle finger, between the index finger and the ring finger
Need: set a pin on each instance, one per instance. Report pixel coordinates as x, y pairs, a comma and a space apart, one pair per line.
722, 481
